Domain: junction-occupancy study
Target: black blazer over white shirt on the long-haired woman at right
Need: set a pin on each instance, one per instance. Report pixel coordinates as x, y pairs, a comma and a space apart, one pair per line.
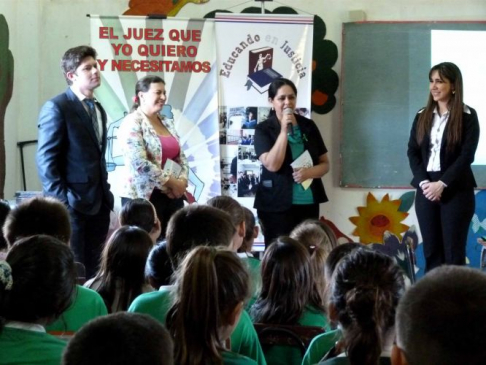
455, 165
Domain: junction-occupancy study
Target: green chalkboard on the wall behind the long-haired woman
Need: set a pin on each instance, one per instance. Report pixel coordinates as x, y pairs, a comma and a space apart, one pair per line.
384, 83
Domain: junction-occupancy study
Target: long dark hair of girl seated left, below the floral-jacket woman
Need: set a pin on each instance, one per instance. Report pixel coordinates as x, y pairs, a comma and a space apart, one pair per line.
121, 277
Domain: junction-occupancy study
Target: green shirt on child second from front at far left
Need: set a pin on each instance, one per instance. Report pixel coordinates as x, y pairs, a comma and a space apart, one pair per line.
87, 306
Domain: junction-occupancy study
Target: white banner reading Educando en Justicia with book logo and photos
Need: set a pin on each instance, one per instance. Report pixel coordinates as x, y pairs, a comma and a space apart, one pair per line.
253, 50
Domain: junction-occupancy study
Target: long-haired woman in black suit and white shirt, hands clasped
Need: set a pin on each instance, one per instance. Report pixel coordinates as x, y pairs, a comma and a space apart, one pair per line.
441, 148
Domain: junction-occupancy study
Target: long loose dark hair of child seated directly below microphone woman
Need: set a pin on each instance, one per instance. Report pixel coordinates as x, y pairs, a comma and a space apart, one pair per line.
286, 283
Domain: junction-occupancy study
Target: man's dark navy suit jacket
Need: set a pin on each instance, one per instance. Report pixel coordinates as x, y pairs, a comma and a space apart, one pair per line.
70, 161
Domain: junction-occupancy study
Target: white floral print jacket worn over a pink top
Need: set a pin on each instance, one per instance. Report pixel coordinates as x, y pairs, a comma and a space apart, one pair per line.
142, 151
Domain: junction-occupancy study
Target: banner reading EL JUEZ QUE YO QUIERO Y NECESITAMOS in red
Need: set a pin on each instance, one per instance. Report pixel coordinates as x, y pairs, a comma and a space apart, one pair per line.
182, 52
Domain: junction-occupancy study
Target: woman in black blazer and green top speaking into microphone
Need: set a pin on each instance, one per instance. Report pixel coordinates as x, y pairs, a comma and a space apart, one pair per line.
281, 200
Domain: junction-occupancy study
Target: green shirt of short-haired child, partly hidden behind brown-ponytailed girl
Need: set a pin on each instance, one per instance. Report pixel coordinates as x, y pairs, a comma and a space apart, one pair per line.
244, 339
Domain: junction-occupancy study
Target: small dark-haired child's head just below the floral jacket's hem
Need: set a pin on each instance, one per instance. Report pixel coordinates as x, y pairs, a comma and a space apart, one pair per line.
138, 212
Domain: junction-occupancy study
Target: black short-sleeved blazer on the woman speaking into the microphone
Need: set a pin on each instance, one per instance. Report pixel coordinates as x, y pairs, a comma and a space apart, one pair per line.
274, 193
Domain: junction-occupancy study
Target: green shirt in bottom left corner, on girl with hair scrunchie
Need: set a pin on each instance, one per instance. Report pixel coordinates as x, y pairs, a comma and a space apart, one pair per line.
20, 346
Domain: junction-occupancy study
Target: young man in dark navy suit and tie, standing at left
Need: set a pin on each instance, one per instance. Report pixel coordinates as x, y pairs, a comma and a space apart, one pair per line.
71, 155
